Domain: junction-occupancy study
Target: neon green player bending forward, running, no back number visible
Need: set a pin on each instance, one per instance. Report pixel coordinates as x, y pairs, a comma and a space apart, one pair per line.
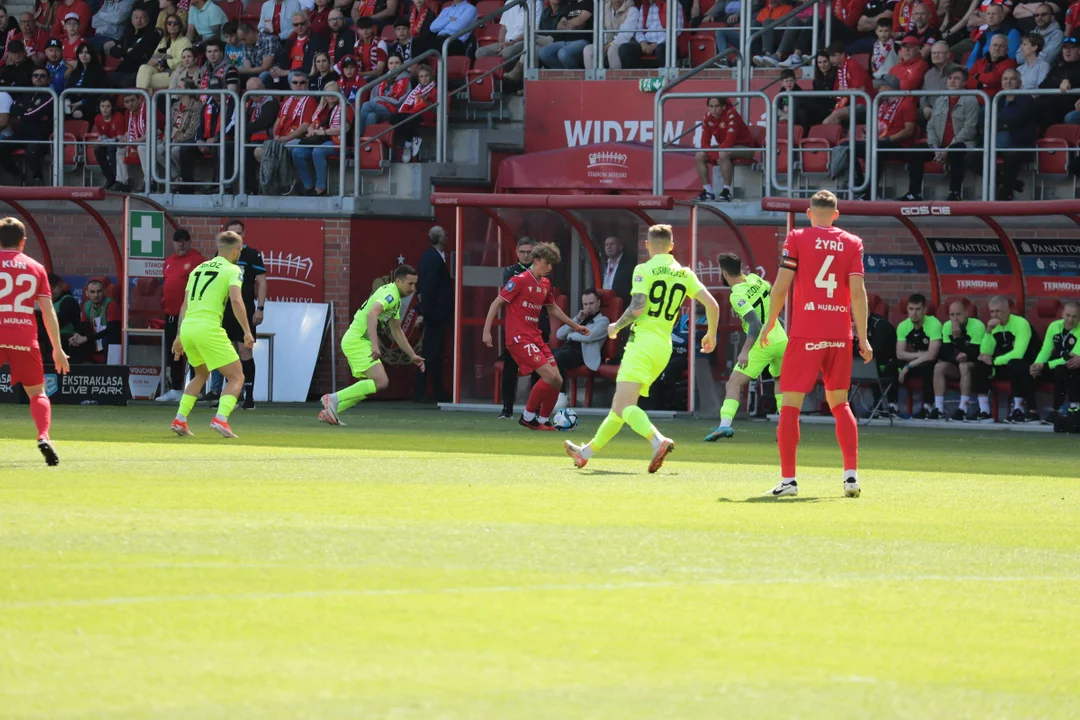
361, 345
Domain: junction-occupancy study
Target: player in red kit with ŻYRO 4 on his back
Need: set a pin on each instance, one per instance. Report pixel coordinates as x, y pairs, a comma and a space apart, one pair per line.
827, 267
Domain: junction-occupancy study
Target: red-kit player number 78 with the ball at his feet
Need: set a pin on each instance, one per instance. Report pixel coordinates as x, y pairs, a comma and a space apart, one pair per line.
524, 296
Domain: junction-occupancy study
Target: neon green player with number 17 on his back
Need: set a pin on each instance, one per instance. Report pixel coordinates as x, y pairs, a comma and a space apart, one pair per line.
202, 338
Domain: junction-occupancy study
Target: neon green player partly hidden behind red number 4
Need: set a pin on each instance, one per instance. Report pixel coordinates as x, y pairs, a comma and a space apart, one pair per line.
750, 301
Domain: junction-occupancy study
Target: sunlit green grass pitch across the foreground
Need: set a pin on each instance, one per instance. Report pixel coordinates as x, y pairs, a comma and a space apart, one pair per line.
433, 565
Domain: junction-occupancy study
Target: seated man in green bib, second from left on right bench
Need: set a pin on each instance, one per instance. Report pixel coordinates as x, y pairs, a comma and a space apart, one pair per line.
962, 337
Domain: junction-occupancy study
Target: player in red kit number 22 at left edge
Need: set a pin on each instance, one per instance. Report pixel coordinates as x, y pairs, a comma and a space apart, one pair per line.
24, 281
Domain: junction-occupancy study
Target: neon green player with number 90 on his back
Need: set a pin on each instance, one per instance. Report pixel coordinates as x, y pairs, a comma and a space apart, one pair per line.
659, 289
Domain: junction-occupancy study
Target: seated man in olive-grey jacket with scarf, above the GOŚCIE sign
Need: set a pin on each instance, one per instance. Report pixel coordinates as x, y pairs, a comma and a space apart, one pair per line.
954, 126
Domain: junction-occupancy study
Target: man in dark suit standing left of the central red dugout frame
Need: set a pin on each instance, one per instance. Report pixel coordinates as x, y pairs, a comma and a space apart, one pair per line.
437, 309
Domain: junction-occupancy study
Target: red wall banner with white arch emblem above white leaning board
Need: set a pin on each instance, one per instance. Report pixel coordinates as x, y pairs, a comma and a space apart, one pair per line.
293, 254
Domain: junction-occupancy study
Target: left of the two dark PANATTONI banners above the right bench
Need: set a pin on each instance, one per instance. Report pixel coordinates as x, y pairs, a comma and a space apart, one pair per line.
974, 267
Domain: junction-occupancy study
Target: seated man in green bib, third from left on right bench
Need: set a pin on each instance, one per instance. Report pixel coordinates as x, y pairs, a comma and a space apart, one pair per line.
1008, 354
